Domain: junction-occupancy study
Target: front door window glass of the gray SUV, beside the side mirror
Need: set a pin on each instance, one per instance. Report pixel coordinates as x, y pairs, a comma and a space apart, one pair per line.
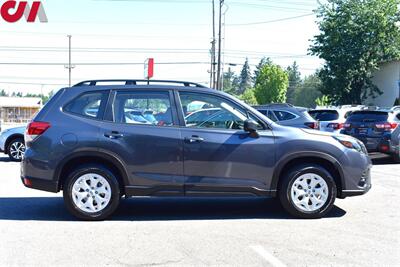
204, 111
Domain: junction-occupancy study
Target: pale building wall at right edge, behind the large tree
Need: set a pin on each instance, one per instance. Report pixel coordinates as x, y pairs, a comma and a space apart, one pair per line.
387, 78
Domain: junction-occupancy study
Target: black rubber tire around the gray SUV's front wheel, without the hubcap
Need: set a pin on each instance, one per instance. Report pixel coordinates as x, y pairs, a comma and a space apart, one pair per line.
285, 191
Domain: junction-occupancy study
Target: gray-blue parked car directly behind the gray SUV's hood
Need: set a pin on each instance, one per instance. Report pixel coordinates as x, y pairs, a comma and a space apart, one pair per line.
288, 115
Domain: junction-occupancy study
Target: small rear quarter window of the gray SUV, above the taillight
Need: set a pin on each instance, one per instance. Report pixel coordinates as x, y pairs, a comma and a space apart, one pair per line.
89, 105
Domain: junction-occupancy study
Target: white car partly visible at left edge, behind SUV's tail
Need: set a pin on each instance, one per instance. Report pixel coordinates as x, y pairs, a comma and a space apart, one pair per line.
12, 143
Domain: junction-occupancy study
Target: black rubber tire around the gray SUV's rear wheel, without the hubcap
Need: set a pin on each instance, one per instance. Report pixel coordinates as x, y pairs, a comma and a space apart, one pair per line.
115, 193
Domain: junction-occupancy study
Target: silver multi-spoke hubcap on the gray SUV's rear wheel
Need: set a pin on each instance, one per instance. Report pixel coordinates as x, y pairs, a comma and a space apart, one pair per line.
91, 193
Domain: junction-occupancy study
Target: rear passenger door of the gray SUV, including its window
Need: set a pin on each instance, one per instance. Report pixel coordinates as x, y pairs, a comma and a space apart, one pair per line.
143, 132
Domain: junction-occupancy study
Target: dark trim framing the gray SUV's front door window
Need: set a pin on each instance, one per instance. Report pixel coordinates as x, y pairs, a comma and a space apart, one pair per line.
181, 118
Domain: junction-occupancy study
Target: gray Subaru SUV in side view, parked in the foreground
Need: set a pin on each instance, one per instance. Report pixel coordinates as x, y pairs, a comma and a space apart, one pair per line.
99, 141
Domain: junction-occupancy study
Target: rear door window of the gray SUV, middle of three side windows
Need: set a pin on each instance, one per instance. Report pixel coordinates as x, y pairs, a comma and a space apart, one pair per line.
143, 108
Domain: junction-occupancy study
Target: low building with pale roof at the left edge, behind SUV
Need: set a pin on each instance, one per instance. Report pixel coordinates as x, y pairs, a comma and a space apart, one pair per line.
16, 111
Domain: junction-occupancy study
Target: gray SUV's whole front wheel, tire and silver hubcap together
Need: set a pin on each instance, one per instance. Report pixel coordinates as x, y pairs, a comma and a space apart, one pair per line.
308, 192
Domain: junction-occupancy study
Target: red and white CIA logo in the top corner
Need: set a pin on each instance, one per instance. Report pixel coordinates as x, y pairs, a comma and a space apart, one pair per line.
13, 11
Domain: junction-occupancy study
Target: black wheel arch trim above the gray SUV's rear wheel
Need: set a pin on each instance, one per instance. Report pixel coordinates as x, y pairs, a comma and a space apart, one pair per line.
104, 155
